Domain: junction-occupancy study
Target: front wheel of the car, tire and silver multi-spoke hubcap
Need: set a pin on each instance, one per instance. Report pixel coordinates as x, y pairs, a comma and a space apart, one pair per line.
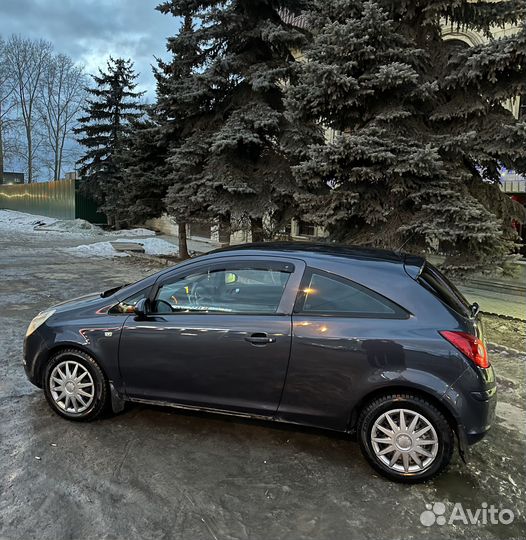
75, 387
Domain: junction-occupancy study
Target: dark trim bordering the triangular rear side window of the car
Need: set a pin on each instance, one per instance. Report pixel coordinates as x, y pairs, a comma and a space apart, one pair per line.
400, 314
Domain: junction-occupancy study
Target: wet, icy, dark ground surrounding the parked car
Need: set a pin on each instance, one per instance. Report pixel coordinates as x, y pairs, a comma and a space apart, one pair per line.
152, 472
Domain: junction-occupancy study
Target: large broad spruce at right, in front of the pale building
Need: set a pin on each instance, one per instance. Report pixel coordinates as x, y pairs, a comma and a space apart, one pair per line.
421, 131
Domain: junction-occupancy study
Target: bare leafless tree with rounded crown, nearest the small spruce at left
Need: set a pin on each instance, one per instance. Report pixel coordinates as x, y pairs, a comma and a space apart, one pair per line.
62, 94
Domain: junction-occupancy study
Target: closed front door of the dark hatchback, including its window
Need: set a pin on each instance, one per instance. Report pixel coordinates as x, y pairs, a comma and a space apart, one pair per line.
218, 335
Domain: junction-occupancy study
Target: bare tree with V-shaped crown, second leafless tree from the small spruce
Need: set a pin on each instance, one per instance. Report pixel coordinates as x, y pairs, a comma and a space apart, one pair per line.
27, 62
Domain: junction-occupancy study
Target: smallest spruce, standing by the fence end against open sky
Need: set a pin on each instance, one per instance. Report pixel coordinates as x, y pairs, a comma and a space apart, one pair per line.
113, 106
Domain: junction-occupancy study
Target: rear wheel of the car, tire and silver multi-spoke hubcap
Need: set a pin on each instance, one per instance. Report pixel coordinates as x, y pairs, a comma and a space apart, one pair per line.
399, 450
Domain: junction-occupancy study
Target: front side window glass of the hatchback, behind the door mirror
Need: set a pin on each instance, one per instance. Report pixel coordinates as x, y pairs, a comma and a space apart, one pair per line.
248, 288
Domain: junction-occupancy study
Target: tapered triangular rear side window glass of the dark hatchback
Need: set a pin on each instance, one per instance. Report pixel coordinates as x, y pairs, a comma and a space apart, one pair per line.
330, 295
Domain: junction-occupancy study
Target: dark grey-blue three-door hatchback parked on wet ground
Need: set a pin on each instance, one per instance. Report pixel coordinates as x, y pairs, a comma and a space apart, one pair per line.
373, 343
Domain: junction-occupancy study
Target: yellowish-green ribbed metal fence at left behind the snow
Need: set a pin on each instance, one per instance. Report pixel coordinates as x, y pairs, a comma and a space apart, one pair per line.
61, 200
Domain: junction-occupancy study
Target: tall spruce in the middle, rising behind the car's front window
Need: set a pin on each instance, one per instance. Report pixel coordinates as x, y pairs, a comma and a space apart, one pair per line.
234, 161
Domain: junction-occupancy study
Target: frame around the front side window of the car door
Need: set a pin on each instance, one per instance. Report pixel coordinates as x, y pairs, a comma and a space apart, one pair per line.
288, 296
